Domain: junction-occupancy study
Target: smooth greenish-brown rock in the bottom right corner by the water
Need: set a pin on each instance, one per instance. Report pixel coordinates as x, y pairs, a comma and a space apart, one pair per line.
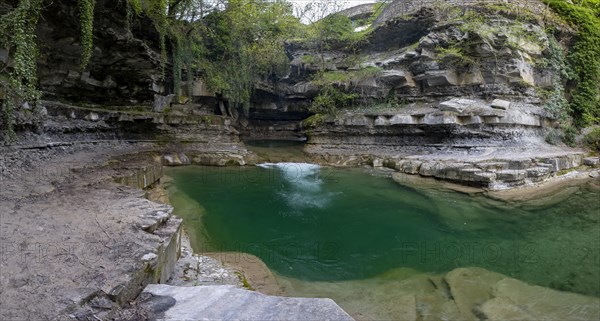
468, 293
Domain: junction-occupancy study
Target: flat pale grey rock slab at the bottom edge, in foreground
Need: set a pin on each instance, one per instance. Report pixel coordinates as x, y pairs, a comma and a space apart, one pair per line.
227, 302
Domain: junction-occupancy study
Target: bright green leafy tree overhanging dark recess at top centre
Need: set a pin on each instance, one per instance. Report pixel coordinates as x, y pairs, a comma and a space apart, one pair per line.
244, 43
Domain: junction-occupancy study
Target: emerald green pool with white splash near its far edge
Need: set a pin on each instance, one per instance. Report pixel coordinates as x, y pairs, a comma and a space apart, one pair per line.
322, 228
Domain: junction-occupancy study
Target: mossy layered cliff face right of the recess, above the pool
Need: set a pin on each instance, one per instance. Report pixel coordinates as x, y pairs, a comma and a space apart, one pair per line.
418, 60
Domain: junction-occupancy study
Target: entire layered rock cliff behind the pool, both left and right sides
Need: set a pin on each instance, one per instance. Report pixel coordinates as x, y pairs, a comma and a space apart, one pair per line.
456, 77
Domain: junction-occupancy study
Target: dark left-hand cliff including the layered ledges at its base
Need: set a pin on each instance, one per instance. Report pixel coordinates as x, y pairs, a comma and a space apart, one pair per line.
122, 94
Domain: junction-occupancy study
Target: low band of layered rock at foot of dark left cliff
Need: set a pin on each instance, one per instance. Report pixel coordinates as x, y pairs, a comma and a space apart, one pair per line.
194, 124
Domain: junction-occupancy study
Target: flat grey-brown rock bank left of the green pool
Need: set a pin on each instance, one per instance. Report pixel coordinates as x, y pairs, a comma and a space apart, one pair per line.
90, 246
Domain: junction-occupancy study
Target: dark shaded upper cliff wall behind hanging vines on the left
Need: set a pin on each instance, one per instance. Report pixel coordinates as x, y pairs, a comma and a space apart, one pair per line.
125, 67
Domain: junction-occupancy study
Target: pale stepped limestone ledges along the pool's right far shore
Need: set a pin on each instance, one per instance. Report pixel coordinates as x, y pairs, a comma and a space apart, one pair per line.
463, 141
